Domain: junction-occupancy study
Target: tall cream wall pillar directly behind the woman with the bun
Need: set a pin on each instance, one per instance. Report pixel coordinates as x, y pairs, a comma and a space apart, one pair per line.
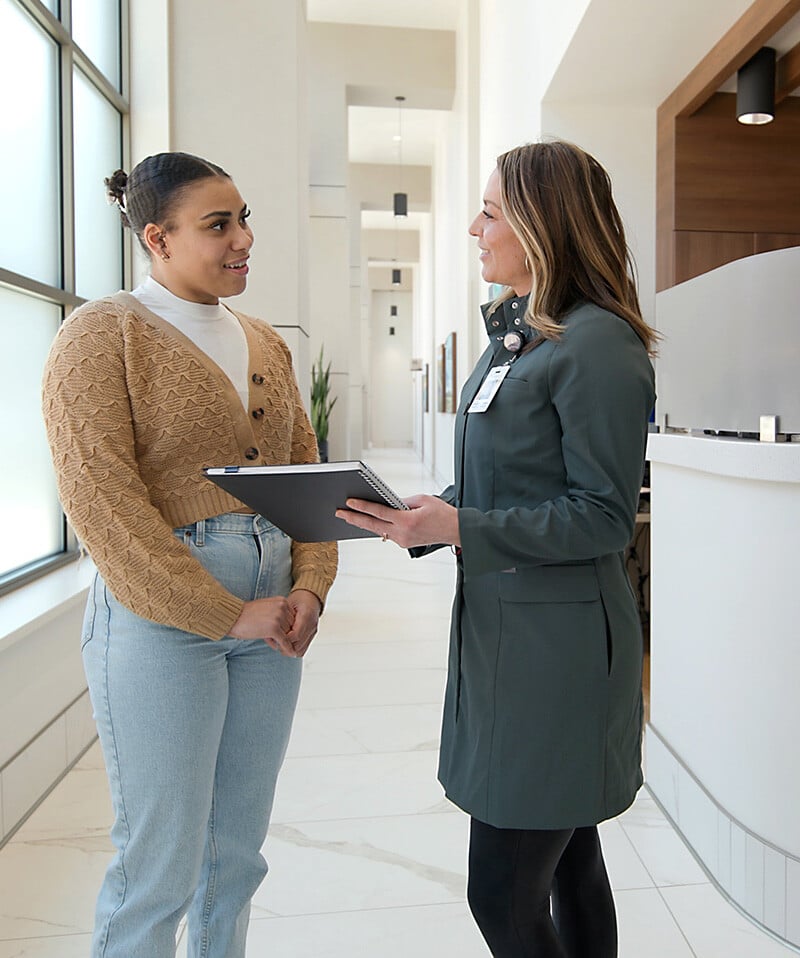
250, 116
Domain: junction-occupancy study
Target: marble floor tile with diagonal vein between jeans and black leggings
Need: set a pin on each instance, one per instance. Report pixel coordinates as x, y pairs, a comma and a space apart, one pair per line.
350, 865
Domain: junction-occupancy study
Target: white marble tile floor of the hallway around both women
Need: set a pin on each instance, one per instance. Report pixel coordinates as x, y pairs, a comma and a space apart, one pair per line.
367, 859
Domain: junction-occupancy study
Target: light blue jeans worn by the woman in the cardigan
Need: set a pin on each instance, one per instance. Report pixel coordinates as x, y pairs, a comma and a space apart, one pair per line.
193, 735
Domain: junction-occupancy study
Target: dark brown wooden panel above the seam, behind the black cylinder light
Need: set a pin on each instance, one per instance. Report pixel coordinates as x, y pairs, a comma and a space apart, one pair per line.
738, 178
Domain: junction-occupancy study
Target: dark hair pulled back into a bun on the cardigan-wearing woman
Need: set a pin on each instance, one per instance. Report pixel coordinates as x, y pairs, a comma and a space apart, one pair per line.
150, 192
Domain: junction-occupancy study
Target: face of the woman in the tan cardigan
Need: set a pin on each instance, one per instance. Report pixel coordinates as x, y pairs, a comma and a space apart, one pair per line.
201, 253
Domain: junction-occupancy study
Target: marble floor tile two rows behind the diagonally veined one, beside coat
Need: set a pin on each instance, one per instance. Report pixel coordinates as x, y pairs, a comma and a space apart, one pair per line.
354, 730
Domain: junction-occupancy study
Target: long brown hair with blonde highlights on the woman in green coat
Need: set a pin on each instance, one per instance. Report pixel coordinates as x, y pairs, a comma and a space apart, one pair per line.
557, 200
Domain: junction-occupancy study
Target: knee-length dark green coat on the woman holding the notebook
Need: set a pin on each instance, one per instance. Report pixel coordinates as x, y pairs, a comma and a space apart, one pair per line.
542, 717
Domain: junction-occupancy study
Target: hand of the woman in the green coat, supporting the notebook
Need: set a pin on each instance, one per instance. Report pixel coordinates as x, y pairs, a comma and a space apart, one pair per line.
428, 521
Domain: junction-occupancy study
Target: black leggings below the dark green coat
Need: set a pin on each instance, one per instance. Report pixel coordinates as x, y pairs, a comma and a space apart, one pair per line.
516, 875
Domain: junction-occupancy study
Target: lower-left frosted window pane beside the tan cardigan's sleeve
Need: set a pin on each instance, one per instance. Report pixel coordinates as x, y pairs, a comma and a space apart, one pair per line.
30, 515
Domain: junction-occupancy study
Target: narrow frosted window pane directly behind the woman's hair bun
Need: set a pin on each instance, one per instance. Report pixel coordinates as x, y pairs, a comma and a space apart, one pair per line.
98, 233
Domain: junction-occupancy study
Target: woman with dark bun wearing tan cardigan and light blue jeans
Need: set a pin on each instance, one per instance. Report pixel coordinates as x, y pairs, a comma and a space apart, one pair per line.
201, 611
